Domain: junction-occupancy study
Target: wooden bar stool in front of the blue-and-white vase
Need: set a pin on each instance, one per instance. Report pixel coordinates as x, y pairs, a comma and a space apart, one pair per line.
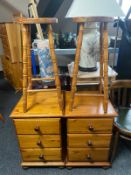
27, 72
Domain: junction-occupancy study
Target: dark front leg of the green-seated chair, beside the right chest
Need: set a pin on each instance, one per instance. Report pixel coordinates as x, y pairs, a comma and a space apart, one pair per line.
115, 145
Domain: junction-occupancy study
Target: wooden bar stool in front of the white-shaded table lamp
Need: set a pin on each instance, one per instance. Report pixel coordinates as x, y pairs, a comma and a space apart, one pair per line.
103, 85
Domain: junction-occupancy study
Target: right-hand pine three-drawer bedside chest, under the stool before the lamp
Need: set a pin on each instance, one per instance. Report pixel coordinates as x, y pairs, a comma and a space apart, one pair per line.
89, 132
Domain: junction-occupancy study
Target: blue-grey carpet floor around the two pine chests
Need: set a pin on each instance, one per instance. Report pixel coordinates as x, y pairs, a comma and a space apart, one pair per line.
10, 156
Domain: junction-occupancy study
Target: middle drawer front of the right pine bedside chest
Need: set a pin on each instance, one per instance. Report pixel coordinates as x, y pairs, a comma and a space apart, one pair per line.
89, 140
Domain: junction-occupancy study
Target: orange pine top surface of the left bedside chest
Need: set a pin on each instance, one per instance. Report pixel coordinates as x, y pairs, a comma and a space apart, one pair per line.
40, 104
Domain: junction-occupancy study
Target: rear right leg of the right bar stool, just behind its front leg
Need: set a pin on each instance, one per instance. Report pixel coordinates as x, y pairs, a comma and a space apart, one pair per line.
101, 57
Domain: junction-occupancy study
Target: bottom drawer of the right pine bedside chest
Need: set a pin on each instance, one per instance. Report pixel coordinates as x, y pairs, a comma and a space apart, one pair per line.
88, 155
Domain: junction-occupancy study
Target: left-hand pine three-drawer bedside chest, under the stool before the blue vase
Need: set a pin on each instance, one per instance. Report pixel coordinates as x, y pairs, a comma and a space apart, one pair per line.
39, 130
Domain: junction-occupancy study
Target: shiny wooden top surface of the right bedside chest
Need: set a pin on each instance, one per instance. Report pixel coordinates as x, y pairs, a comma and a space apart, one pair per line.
90, 106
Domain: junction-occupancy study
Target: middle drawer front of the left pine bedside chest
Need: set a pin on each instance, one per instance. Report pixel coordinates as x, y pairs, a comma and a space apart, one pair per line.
42, 141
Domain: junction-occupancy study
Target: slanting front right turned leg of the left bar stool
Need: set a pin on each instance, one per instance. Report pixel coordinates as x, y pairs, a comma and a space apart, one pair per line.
55, 66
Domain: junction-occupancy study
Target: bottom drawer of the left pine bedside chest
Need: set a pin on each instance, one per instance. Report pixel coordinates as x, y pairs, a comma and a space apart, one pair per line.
47, 154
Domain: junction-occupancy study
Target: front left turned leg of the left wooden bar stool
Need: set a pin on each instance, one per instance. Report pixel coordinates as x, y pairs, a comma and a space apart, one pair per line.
25, 64
